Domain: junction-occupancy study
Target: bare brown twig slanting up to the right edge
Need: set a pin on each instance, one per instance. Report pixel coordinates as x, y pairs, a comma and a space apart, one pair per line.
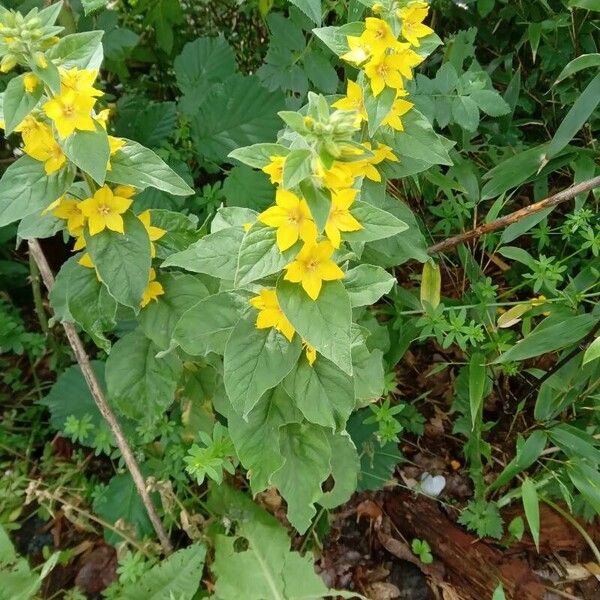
502, 222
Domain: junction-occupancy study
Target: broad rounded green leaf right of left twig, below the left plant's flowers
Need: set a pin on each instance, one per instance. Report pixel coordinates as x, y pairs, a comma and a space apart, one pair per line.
140, 385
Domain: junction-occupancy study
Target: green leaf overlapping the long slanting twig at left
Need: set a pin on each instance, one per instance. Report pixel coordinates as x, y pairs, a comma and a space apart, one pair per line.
77, 296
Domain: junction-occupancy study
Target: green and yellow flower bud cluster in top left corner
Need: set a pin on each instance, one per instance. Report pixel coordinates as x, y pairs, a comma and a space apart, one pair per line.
25, 38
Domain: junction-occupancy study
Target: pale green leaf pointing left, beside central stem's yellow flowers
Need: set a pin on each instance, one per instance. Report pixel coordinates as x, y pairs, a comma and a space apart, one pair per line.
215, 254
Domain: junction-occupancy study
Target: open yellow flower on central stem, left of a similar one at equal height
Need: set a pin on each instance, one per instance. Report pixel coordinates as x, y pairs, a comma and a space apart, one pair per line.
291, 216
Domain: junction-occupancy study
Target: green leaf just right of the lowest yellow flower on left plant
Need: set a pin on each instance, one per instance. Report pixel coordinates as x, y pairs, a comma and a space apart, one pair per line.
159, 319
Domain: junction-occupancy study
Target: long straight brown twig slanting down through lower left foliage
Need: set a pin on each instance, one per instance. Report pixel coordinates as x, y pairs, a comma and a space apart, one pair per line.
94, 386
